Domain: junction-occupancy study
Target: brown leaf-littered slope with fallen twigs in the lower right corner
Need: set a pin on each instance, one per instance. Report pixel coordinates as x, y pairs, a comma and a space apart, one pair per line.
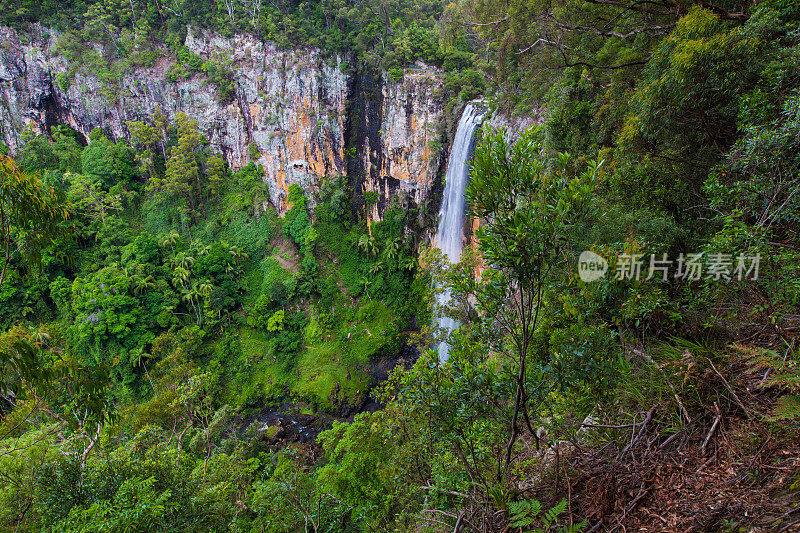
716, 461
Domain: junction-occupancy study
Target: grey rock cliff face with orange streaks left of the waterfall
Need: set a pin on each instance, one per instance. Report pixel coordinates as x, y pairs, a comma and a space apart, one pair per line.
307, 117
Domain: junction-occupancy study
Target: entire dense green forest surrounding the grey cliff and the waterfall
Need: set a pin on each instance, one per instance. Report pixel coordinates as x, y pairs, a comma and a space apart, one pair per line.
176, 356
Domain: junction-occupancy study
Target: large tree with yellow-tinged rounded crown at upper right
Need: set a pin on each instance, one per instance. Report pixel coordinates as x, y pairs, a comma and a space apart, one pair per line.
683, 116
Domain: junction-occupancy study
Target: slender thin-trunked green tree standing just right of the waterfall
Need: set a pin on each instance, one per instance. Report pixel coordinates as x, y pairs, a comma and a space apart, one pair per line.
527, 210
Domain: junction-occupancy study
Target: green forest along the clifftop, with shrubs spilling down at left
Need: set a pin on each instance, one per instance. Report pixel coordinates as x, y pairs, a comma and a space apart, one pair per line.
383, 35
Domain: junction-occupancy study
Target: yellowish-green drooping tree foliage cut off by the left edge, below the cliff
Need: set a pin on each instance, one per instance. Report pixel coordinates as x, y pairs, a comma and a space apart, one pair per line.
32, 215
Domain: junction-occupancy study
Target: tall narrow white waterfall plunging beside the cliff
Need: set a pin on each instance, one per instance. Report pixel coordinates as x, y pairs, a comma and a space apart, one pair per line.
451, 214
